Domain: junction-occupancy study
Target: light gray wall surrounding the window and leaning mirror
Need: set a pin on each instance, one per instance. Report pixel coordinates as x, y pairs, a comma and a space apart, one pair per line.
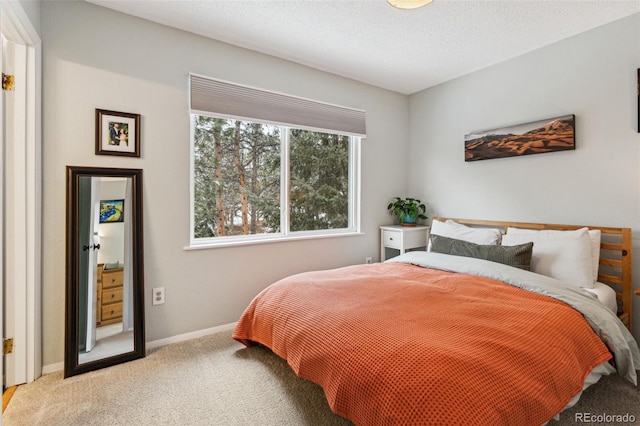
97, 58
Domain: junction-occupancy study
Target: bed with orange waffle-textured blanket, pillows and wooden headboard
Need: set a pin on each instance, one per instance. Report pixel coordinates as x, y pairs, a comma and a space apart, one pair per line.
470, 332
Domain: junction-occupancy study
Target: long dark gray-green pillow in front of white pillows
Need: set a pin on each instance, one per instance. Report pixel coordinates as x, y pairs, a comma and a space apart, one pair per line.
518, 256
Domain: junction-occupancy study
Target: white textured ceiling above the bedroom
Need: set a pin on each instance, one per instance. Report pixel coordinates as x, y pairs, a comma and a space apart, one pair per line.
372, 42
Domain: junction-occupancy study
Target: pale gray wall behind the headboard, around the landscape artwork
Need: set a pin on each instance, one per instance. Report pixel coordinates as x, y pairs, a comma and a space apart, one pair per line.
592, 75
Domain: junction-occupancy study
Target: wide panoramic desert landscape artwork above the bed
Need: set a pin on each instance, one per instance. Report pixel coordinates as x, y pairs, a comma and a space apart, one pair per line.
537, 137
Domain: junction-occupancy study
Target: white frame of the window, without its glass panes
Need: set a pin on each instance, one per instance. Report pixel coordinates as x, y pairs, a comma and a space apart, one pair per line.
354, 227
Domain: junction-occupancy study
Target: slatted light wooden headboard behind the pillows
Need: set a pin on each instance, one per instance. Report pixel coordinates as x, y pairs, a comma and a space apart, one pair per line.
615, 256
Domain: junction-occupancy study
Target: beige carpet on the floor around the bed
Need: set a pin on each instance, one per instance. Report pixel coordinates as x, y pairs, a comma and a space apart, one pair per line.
214, 380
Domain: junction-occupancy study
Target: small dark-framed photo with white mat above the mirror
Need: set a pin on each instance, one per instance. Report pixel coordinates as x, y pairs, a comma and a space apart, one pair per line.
117, 133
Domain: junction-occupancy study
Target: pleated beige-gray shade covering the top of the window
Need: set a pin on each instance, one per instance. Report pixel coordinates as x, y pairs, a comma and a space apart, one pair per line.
233, 100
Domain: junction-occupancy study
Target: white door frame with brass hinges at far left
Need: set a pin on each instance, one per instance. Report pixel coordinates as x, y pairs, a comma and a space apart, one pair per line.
26, 183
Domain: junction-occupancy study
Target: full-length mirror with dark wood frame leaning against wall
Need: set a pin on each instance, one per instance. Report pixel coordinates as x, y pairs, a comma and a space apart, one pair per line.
105, 279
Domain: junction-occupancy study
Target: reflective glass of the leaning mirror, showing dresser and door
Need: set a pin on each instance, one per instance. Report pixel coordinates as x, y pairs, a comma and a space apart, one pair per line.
106, 318
